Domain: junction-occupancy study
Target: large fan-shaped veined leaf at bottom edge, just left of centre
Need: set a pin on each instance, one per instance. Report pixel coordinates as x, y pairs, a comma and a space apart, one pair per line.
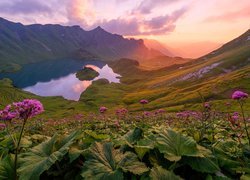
105, 162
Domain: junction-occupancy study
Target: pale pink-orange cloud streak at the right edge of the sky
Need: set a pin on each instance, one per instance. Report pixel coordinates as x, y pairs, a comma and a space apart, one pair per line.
230, 16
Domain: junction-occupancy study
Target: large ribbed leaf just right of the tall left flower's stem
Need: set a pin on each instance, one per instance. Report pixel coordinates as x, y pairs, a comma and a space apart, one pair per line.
40, 158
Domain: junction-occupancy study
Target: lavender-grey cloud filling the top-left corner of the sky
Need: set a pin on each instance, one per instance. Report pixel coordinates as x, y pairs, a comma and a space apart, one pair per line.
24, 7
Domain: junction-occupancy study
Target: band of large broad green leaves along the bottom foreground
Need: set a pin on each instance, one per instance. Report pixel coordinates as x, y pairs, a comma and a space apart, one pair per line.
146, 153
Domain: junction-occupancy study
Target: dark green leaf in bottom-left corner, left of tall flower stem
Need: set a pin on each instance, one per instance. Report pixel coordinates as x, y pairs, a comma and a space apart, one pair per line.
7, 168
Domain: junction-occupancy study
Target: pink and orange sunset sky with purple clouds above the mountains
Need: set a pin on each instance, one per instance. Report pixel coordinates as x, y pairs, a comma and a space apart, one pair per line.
187, 27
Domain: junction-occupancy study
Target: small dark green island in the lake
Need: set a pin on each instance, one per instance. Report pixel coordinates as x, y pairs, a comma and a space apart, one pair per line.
87, 73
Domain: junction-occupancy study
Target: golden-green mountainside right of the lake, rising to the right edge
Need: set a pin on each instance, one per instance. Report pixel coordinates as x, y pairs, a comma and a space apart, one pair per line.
179, 87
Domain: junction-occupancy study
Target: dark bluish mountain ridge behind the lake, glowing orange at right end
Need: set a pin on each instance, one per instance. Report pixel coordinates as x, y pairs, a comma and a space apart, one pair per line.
20, 44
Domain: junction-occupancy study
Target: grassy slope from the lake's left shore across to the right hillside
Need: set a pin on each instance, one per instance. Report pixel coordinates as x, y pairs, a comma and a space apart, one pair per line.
162, 87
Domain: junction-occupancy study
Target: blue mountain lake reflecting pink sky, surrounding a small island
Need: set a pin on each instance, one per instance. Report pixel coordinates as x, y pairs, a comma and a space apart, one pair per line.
58, 77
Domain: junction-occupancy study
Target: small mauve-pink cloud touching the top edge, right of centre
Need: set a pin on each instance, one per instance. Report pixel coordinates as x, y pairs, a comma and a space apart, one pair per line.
146, 6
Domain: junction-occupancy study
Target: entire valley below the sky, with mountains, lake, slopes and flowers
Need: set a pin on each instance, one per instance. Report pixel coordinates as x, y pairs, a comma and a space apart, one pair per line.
78, 104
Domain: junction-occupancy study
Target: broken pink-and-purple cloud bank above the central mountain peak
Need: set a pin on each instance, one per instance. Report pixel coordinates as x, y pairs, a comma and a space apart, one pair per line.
82, 12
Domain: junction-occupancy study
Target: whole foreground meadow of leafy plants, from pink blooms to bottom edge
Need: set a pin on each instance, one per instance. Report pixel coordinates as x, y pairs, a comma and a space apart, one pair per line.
204, 144
